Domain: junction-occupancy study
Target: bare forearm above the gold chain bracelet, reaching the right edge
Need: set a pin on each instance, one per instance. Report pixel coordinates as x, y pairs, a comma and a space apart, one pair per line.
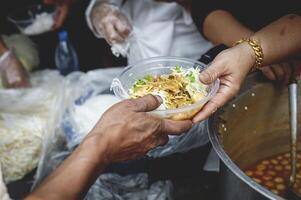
281, 39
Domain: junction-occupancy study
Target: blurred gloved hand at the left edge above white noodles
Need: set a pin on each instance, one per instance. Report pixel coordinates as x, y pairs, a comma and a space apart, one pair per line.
13, 74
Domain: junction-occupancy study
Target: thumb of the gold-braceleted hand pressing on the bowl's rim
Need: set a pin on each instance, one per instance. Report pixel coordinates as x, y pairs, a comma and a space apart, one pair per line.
210, 74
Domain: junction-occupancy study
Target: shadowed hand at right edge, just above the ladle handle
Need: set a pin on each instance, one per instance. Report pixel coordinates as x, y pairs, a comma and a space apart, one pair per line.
282, 72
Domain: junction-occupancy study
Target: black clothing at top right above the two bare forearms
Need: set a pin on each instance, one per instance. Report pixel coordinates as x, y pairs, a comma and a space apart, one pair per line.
253, 14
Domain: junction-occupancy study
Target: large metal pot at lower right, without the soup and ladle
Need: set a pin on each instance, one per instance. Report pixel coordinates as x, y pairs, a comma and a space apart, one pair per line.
254, 126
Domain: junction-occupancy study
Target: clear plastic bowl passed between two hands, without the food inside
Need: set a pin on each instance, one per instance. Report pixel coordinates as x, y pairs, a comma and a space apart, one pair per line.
159, 66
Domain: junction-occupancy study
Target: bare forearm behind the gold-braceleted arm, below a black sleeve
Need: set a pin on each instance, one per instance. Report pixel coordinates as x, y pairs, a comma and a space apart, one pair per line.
221, 27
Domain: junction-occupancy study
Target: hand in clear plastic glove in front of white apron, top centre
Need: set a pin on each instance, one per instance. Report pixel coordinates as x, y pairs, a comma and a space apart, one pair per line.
110, 23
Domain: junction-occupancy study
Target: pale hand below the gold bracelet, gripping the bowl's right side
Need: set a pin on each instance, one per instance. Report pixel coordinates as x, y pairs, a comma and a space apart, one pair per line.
231, 66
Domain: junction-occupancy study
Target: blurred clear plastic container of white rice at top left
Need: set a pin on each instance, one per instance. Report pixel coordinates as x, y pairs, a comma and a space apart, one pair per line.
33, 20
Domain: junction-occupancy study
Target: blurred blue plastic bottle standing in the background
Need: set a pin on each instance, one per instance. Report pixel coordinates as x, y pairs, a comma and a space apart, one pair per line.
66, 59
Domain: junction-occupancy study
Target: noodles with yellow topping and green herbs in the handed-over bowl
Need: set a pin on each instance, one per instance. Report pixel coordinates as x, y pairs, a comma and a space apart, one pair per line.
180, 88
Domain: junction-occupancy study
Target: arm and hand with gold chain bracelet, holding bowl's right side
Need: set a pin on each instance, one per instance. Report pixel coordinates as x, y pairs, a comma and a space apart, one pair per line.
279, 40
